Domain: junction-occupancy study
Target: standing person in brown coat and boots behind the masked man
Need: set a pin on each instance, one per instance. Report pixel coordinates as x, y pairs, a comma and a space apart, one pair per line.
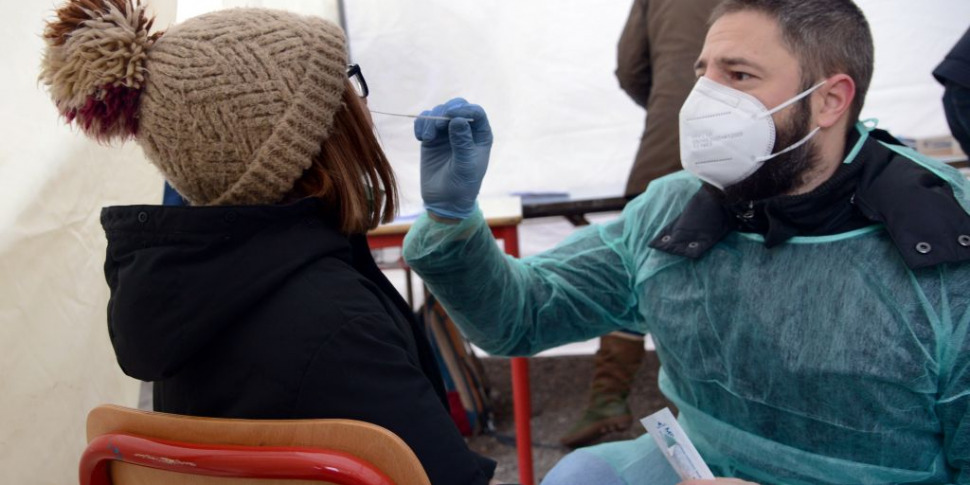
655, 55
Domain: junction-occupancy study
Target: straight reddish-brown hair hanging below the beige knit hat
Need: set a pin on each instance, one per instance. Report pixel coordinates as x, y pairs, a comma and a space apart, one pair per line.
351, 175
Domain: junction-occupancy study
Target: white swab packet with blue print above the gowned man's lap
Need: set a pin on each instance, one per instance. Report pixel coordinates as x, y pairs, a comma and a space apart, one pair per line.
676, 446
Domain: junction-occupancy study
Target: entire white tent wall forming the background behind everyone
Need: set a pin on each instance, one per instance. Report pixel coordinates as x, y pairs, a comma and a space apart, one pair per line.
543, 69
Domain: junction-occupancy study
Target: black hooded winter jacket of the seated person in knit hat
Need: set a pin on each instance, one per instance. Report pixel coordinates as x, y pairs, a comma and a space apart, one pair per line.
268, 312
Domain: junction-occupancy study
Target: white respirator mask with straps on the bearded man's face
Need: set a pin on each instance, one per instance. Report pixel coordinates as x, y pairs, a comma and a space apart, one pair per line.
726, 134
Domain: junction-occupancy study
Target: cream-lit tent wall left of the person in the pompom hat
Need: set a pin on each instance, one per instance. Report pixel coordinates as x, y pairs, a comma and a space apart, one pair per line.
56, 361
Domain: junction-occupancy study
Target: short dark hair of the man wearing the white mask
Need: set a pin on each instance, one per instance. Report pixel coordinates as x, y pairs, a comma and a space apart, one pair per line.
826, 36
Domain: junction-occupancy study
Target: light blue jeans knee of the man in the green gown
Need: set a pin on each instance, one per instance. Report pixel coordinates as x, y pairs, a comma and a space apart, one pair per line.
634, 462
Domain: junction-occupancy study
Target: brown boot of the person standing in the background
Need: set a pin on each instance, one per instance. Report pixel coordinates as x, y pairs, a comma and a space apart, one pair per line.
617, 361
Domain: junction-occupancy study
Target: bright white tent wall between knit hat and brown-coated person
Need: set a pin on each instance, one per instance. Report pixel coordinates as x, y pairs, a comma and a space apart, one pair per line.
543, 70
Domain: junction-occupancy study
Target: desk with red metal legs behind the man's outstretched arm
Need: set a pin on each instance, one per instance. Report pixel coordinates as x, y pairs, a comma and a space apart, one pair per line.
503, 217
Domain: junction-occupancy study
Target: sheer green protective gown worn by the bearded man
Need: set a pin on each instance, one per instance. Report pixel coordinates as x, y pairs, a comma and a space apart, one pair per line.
824, 360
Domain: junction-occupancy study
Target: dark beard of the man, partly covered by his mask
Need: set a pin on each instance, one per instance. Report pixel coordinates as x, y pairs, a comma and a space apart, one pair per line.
784, 173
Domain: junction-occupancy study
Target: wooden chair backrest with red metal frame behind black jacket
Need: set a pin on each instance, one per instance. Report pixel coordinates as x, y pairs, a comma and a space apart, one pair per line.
263, 445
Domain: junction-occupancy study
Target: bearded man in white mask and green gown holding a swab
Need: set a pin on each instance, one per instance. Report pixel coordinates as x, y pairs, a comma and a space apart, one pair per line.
806, 280
